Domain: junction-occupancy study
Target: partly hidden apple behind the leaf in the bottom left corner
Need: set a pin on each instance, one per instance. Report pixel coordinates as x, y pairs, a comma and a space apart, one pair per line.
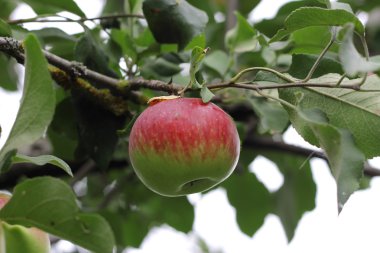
19, 239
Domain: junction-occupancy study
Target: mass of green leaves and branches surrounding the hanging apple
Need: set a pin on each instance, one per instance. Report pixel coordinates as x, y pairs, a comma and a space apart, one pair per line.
310, 67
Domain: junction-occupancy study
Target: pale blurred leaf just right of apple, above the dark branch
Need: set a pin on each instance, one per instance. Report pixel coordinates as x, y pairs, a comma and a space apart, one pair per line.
273, 119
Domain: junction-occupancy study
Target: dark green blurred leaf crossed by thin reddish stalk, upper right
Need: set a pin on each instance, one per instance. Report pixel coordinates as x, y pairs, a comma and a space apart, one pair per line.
302, 63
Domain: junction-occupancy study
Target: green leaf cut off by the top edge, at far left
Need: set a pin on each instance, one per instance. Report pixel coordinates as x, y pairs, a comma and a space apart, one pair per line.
54, 6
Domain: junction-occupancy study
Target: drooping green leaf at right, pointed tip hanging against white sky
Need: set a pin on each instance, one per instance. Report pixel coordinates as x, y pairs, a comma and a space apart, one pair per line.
345, 159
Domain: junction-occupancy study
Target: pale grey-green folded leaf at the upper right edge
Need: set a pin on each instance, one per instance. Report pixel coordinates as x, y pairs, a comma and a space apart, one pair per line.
352, 62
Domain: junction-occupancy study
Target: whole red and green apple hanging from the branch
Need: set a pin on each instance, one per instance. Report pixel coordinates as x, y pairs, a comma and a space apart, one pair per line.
181, 146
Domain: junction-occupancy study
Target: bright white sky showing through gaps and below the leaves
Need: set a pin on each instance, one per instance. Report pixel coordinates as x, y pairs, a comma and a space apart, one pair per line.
356, 229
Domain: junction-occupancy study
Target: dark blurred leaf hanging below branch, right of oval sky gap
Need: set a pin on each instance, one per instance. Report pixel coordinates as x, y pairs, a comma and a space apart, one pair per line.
297, 195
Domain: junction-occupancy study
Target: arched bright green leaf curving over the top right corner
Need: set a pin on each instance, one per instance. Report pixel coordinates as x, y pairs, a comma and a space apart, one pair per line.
314, 16
